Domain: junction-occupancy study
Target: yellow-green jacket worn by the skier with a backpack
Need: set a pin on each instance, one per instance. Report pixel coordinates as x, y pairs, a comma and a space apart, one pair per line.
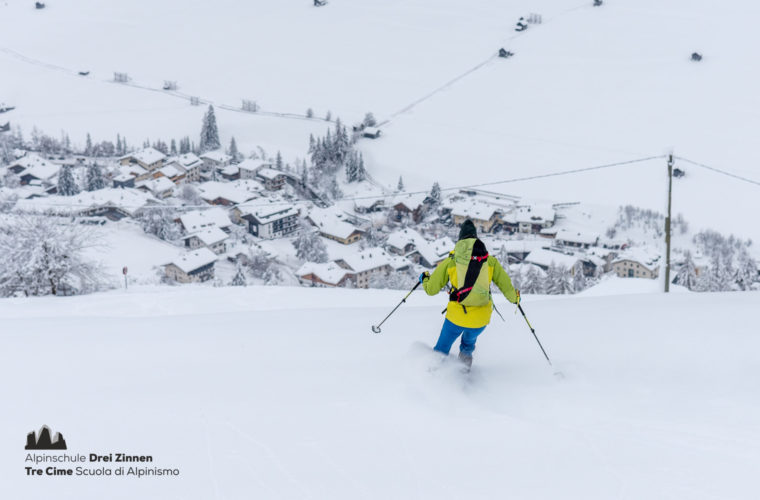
471, 317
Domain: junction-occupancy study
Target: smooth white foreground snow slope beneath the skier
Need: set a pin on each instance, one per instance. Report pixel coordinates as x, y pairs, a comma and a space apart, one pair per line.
285, 393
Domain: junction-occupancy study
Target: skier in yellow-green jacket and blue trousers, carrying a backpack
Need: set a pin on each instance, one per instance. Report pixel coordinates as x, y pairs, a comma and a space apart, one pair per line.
470, 270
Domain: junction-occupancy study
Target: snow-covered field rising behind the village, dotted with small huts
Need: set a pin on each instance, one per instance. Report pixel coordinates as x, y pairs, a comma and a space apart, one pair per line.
588, 86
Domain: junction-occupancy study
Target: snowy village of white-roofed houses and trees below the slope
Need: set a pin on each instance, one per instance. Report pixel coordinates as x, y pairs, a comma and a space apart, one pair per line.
235, 220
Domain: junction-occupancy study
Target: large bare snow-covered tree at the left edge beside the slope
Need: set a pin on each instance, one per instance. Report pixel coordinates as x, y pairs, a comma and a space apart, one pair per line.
44, 256
